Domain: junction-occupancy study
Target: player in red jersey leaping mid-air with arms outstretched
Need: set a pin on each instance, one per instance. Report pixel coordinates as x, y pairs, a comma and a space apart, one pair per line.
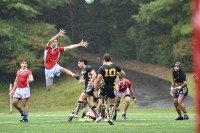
51, 56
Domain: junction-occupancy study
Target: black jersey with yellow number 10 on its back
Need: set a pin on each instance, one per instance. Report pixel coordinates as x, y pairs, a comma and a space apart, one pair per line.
109, 73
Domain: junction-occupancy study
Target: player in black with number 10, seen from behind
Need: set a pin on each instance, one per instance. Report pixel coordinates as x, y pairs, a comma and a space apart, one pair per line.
108, 72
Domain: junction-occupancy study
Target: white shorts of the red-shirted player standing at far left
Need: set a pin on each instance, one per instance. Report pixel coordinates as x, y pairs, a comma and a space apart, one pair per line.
22, 93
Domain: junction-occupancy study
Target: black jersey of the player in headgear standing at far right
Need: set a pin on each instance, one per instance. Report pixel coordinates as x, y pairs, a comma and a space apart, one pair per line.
179, 76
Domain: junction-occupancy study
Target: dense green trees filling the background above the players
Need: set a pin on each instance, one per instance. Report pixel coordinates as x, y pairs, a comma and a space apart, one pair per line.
151, 31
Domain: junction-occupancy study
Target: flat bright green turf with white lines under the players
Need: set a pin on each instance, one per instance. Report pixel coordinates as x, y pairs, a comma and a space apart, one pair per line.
138, 121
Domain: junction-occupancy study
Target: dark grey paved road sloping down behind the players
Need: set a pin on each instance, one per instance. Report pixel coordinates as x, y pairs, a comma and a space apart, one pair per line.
150, 91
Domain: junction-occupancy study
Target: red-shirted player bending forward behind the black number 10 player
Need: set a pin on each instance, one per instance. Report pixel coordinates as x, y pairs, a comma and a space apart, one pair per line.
124, 89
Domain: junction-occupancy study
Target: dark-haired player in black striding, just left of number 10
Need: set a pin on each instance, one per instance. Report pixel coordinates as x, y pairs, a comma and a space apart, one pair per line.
89, 75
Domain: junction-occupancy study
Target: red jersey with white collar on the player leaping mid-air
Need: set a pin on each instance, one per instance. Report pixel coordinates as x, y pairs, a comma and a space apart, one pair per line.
51, 56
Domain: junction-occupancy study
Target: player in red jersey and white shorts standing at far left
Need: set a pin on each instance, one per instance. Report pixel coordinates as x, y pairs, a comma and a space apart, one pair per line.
21, 89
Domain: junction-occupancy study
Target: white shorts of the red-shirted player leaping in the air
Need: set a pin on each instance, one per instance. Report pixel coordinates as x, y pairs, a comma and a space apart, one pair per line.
50, 73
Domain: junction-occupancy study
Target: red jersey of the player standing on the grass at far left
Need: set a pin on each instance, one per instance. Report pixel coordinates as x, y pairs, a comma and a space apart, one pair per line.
22, 76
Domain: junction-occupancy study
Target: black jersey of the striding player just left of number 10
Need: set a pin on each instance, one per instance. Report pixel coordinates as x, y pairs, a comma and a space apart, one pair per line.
87, 74
